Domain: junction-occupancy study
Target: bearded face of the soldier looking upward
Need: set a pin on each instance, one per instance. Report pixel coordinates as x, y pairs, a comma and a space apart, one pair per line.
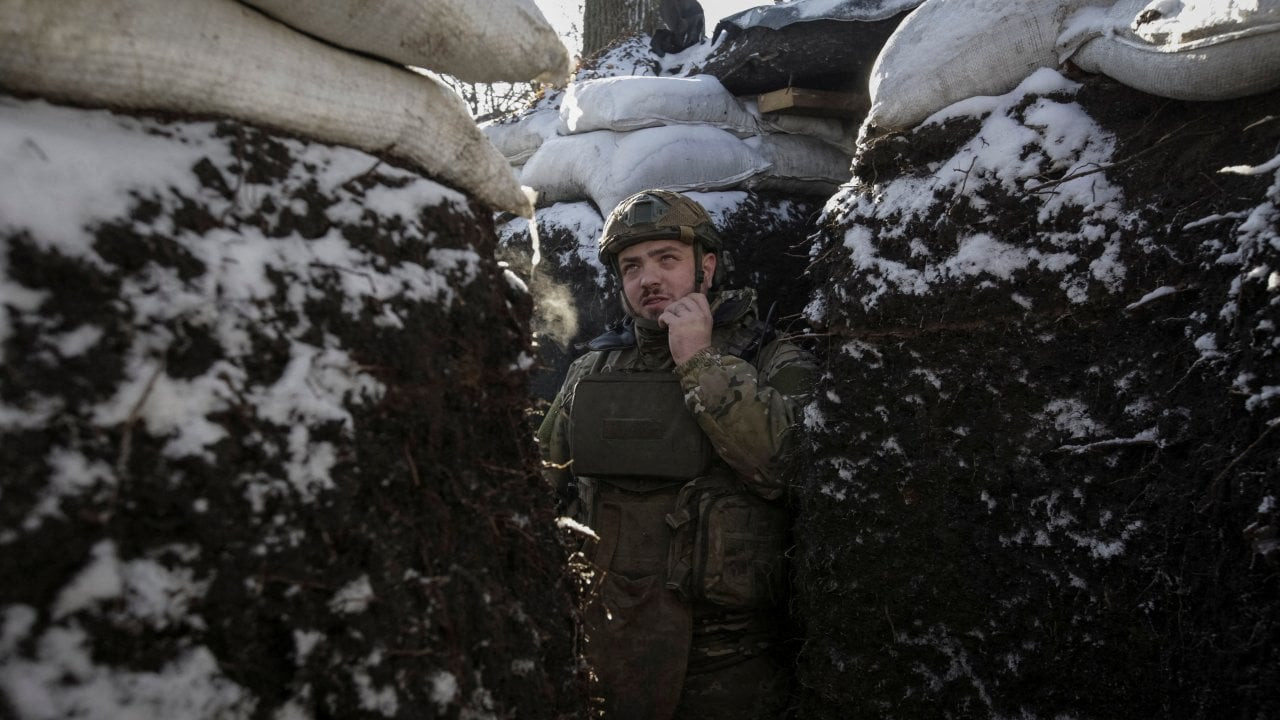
659, 272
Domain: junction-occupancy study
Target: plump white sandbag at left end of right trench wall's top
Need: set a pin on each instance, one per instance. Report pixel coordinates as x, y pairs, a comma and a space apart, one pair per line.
949, 51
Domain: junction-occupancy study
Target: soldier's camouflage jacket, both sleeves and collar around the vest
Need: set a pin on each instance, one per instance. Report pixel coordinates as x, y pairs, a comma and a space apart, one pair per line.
747, 409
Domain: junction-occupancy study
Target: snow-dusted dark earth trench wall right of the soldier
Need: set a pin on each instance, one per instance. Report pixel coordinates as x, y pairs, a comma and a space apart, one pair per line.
1041, 475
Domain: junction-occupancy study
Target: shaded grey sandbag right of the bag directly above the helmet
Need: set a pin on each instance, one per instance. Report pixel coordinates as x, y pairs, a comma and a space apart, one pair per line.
801, 165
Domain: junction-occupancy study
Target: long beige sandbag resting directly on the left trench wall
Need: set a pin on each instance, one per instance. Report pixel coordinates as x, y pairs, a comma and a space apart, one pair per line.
221, 58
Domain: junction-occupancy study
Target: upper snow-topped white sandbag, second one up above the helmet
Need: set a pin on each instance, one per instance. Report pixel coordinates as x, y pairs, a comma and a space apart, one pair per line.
634, 103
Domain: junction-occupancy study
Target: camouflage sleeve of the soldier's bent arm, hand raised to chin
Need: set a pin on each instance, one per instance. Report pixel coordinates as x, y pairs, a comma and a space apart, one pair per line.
751, 414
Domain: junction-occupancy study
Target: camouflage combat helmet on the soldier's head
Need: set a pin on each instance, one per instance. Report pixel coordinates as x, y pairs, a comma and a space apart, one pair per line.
657, 215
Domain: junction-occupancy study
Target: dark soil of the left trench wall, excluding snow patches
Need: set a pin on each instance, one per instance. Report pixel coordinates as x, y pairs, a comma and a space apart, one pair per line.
436, 490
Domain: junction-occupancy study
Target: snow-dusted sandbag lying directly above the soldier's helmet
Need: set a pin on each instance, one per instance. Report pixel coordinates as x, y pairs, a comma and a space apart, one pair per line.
606, 167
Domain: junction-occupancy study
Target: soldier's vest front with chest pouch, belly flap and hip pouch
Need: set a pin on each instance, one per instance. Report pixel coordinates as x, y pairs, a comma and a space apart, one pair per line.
661, 500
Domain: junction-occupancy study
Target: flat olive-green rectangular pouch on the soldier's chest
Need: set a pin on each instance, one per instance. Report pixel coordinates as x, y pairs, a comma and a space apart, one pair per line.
636, 425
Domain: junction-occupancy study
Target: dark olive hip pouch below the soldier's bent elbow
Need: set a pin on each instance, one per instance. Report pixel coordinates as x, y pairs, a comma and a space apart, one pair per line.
728, 548
